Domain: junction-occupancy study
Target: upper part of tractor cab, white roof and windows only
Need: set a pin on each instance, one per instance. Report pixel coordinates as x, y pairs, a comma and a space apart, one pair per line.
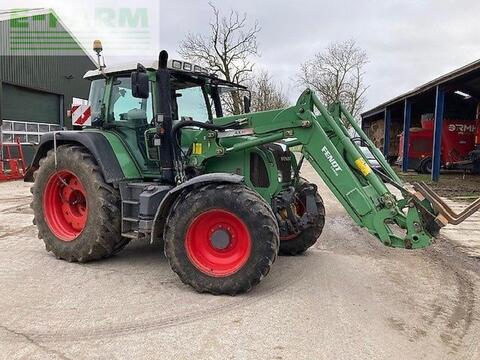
194, 93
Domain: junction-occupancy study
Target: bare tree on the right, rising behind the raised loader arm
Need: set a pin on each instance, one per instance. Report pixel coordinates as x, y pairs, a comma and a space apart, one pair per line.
337, 74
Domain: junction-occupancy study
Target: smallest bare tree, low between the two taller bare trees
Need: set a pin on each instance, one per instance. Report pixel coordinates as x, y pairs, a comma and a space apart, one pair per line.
266, 94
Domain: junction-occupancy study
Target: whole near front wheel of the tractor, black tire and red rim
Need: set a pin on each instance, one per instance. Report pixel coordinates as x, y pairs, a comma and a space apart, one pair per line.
221, 239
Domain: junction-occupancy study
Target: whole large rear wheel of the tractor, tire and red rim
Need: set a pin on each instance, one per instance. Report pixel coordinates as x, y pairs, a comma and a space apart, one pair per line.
77, 214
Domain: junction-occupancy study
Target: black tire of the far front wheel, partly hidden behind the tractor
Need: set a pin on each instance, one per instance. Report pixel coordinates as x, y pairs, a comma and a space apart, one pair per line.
307, 238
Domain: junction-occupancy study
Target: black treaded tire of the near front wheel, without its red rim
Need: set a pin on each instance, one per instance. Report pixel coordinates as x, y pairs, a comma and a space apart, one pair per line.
244, 204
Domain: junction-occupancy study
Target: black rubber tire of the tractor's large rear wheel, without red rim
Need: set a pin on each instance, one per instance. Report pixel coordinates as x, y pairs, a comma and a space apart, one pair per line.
101, 235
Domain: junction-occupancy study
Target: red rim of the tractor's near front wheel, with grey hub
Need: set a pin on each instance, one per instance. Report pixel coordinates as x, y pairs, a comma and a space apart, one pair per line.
218, 243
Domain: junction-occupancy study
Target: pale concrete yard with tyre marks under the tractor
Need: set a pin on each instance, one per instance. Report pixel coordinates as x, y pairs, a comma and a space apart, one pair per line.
347, 298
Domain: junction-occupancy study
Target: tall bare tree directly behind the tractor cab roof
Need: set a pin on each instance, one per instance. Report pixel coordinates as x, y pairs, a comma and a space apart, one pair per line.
227, 49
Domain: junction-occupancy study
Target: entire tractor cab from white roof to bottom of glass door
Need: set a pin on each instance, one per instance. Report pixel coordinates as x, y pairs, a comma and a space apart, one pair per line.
127, 100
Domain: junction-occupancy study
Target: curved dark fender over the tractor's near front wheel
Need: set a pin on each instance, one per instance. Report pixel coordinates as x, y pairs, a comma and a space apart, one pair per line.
169, 199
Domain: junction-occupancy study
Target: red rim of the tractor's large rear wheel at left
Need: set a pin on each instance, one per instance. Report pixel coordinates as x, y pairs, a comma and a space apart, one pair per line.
65, 205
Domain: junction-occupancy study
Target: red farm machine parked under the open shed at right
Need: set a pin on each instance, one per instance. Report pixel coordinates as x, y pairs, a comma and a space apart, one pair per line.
460, 148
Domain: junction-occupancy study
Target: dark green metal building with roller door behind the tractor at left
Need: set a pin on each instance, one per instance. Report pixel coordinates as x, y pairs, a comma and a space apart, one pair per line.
41, 72
